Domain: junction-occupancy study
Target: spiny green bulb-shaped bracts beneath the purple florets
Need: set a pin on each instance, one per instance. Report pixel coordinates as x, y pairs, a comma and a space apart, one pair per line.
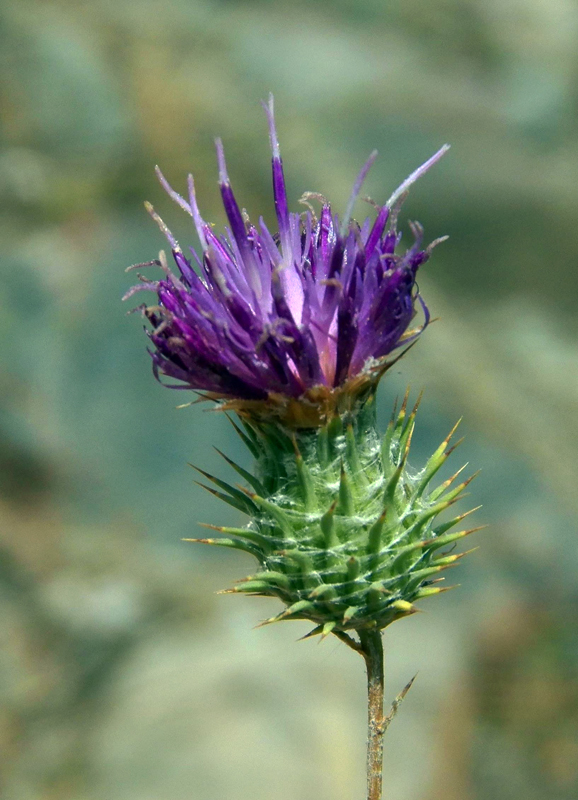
344, 531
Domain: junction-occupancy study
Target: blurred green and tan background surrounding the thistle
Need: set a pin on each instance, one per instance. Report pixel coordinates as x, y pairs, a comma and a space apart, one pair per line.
123, 676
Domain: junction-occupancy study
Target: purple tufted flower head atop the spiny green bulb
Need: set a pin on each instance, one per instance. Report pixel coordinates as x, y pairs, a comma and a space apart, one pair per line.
306, 310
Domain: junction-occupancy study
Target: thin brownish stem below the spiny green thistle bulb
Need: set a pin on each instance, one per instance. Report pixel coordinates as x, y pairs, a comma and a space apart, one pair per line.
372, 651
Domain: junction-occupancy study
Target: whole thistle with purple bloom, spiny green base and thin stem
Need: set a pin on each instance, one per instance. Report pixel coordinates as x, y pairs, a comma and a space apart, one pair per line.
293, 330
